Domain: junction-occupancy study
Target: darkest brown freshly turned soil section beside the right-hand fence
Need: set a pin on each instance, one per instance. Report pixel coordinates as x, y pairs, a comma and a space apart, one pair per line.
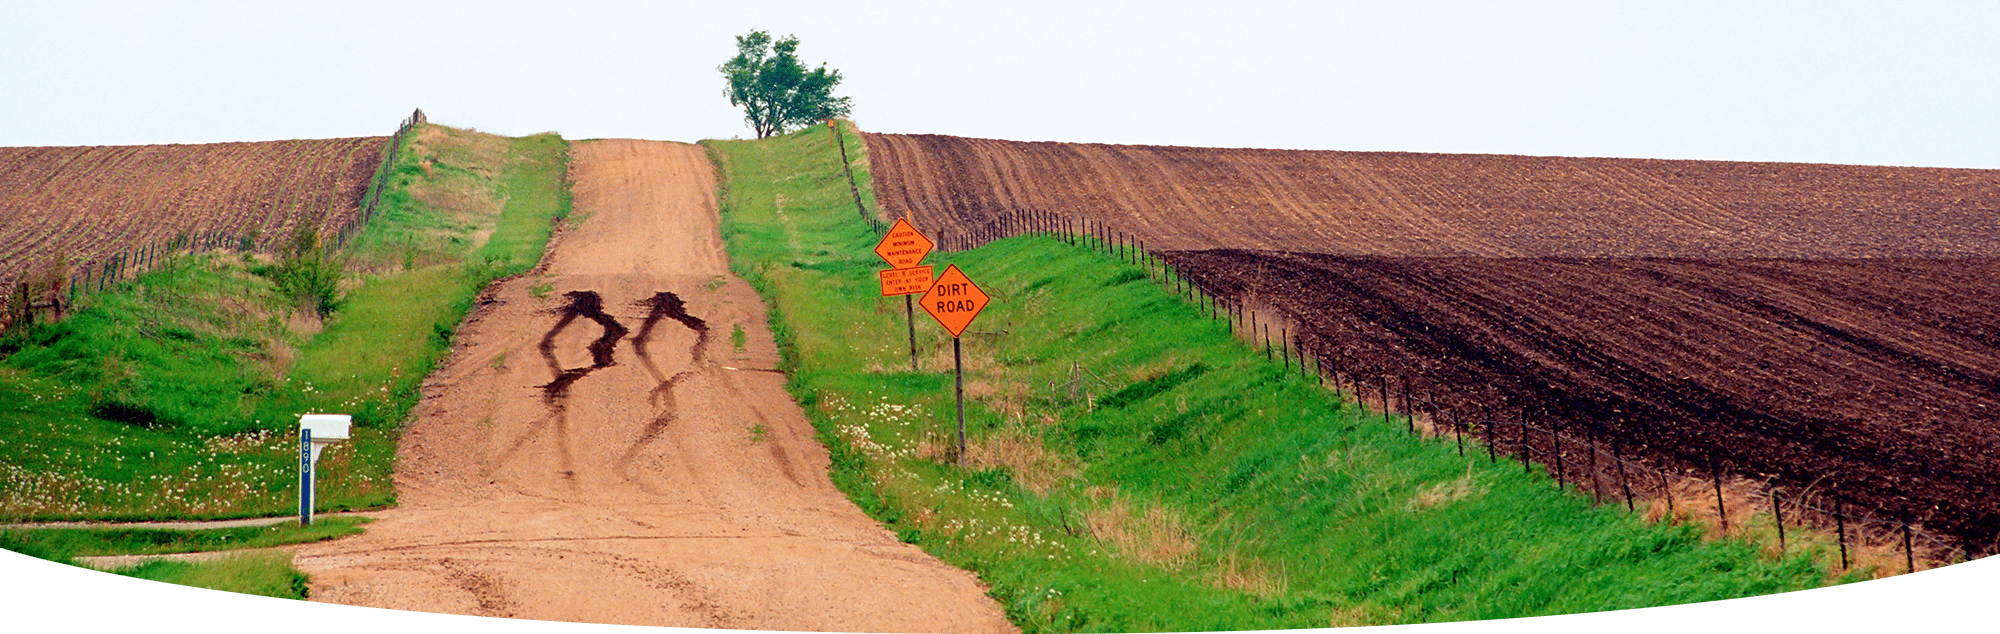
1877, 381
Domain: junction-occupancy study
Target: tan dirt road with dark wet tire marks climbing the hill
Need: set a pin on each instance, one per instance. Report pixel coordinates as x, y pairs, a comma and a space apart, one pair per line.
603, 451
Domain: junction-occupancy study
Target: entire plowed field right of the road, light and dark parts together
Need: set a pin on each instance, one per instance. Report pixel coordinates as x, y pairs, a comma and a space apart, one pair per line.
1829, 329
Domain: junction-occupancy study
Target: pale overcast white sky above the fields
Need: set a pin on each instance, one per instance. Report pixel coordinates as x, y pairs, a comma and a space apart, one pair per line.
1855, 83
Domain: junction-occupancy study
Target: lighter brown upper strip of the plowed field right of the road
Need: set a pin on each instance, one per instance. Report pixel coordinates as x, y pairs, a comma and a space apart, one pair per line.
1445, 205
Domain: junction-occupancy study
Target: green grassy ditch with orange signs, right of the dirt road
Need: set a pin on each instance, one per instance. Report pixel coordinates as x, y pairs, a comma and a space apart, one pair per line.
1135, 469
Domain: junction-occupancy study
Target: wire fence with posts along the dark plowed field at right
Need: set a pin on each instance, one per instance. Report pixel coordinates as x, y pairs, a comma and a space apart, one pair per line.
1583, 463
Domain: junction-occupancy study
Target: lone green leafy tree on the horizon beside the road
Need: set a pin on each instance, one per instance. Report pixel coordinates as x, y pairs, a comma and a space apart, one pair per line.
775, 89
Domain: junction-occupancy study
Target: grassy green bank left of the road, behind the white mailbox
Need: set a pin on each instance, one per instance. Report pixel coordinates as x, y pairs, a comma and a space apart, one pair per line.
175, 395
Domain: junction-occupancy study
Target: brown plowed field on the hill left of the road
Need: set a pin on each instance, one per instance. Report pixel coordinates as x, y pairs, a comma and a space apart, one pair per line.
91, 201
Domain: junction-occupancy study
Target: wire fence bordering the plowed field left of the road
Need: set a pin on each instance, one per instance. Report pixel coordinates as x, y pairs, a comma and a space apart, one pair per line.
61, 289
